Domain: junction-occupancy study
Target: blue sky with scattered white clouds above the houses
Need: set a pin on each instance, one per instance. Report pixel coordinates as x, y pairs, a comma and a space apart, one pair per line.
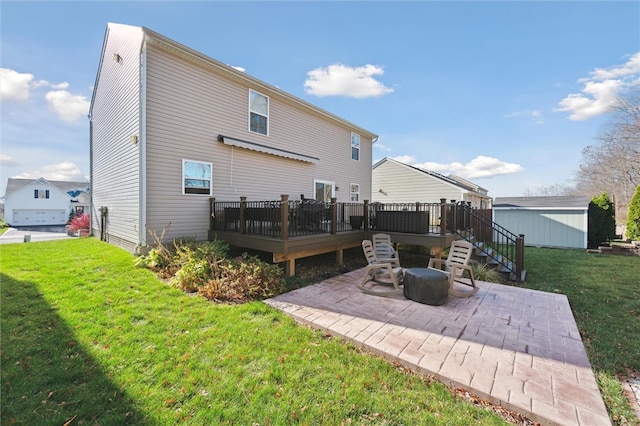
504, 94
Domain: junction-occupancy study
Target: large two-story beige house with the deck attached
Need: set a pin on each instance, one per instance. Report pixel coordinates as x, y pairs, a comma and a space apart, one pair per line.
171, 128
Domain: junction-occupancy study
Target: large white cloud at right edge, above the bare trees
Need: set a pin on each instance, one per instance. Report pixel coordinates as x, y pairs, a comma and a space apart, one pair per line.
600, 90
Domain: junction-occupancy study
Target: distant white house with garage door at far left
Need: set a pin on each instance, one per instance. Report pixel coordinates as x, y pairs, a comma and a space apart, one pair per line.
44, 202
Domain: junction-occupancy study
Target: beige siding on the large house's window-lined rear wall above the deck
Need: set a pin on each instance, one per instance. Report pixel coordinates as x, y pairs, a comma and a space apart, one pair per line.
189, 105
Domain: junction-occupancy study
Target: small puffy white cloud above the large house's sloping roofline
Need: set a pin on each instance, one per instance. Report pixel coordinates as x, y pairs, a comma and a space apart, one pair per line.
342, 80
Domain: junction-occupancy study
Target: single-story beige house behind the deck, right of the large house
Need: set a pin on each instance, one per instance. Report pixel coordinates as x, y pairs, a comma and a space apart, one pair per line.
397, 182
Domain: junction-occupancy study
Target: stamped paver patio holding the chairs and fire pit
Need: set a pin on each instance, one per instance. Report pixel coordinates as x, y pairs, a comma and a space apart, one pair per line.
514, 347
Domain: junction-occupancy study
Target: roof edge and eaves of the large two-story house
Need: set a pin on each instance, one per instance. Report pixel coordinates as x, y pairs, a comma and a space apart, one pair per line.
230, 72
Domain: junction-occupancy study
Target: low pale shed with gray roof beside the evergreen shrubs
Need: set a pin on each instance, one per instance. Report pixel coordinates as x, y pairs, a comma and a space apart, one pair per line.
545, 221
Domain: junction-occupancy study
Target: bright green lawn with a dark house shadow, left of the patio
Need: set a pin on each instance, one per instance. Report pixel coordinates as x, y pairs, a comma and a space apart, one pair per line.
89, 339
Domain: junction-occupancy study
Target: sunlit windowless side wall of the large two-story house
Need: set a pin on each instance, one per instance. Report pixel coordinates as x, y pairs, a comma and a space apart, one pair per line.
115, 112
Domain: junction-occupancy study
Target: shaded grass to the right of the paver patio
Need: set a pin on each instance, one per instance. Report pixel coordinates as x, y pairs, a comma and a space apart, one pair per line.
604, 294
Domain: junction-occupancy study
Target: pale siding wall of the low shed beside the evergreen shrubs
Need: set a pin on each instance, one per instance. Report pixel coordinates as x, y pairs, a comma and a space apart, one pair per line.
546, 228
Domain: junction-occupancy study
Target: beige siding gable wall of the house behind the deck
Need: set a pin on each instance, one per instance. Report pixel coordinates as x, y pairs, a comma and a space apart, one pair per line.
405, 185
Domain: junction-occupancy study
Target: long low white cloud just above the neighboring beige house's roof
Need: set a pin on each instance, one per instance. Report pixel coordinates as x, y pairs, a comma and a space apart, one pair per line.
479, 167
